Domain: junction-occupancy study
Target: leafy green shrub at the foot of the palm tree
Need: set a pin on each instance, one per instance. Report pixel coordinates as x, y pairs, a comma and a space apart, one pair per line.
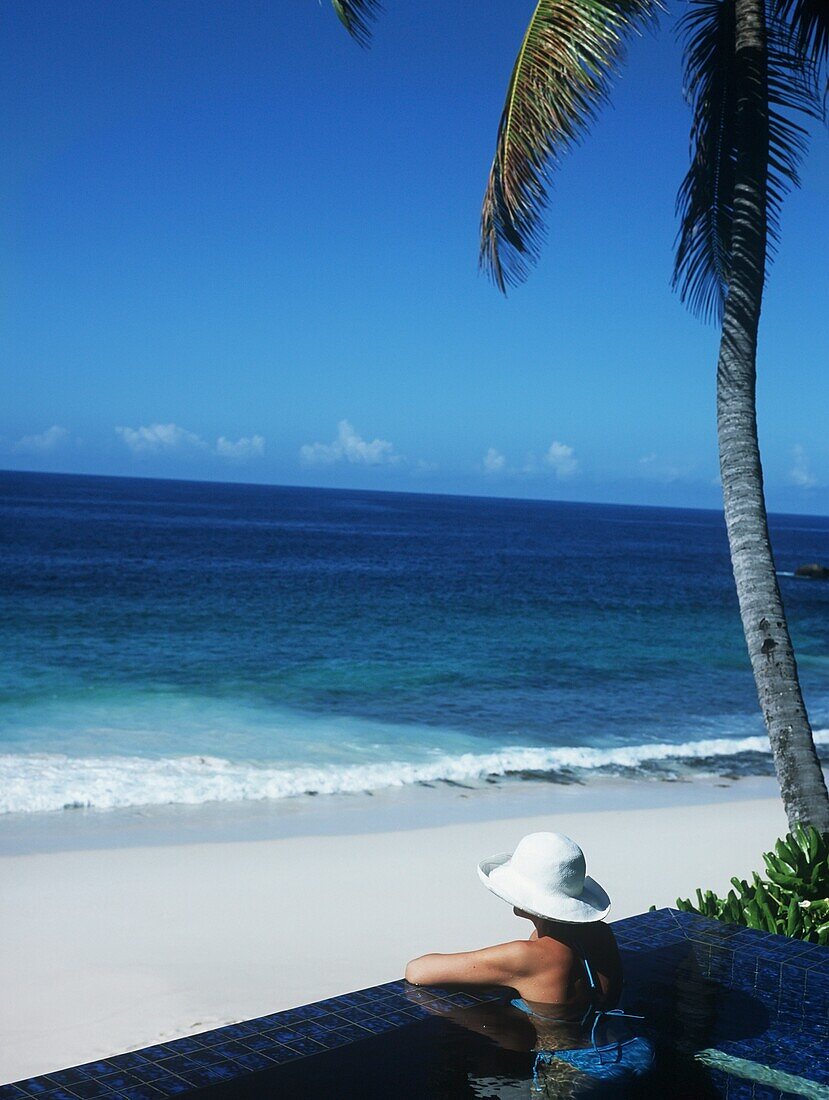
792, 900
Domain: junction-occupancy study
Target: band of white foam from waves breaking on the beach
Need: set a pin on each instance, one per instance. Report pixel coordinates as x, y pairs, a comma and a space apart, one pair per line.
50, 782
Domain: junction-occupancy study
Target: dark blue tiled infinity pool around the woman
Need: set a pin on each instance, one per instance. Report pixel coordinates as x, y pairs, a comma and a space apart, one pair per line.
734, 1013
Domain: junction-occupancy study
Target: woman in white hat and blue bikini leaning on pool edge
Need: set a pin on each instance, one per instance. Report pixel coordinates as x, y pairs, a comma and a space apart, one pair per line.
568, 976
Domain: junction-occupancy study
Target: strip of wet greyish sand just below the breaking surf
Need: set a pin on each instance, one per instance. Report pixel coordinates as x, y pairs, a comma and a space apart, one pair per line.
368, 812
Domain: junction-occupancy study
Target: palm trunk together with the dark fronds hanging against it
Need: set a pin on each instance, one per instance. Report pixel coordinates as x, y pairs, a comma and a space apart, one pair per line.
749, 78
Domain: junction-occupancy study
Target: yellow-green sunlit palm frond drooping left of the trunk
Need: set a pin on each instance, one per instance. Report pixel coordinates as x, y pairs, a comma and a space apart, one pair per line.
562, 74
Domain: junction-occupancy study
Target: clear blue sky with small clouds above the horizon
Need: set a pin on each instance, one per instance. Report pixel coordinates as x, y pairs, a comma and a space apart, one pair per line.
238, 247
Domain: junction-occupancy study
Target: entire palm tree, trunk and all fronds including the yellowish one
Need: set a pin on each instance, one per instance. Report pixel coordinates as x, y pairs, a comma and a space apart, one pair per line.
753, 68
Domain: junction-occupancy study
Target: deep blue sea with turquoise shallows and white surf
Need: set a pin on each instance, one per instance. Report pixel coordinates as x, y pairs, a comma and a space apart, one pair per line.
175, 642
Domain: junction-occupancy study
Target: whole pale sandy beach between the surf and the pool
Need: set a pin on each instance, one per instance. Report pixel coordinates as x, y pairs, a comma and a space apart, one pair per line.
123, 930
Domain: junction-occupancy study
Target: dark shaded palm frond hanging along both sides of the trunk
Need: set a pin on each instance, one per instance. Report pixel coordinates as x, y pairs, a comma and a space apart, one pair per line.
705, 202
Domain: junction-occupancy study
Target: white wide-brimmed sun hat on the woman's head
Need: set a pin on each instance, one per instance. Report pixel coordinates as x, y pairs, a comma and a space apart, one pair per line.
546, 876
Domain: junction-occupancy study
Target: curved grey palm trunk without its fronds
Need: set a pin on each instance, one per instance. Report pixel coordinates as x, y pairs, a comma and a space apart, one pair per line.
765, 622
